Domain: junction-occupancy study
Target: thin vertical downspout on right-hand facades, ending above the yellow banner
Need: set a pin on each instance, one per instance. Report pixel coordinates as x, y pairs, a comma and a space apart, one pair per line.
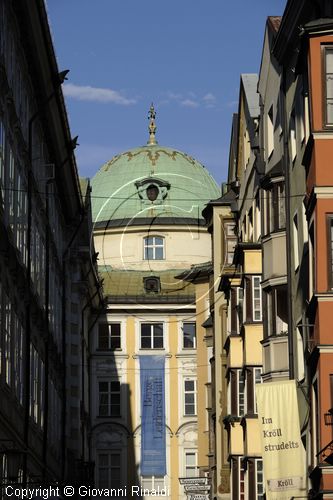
288, 237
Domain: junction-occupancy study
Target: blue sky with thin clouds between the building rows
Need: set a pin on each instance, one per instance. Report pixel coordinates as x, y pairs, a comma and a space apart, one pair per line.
185, 56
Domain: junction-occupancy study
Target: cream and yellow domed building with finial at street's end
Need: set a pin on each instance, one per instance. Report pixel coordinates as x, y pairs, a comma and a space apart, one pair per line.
149, 231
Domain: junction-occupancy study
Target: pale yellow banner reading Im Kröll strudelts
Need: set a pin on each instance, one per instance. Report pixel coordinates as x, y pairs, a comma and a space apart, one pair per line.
283, 452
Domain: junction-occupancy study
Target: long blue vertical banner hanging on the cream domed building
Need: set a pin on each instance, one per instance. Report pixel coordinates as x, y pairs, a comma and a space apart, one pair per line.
153, 448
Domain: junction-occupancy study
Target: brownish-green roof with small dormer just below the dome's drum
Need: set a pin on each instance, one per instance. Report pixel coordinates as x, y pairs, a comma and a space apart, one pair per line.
128, 286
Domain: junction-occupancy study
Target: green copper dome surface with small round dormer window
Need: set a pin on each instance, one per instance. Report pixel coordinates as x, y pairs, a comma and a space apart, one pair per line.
151, 182
